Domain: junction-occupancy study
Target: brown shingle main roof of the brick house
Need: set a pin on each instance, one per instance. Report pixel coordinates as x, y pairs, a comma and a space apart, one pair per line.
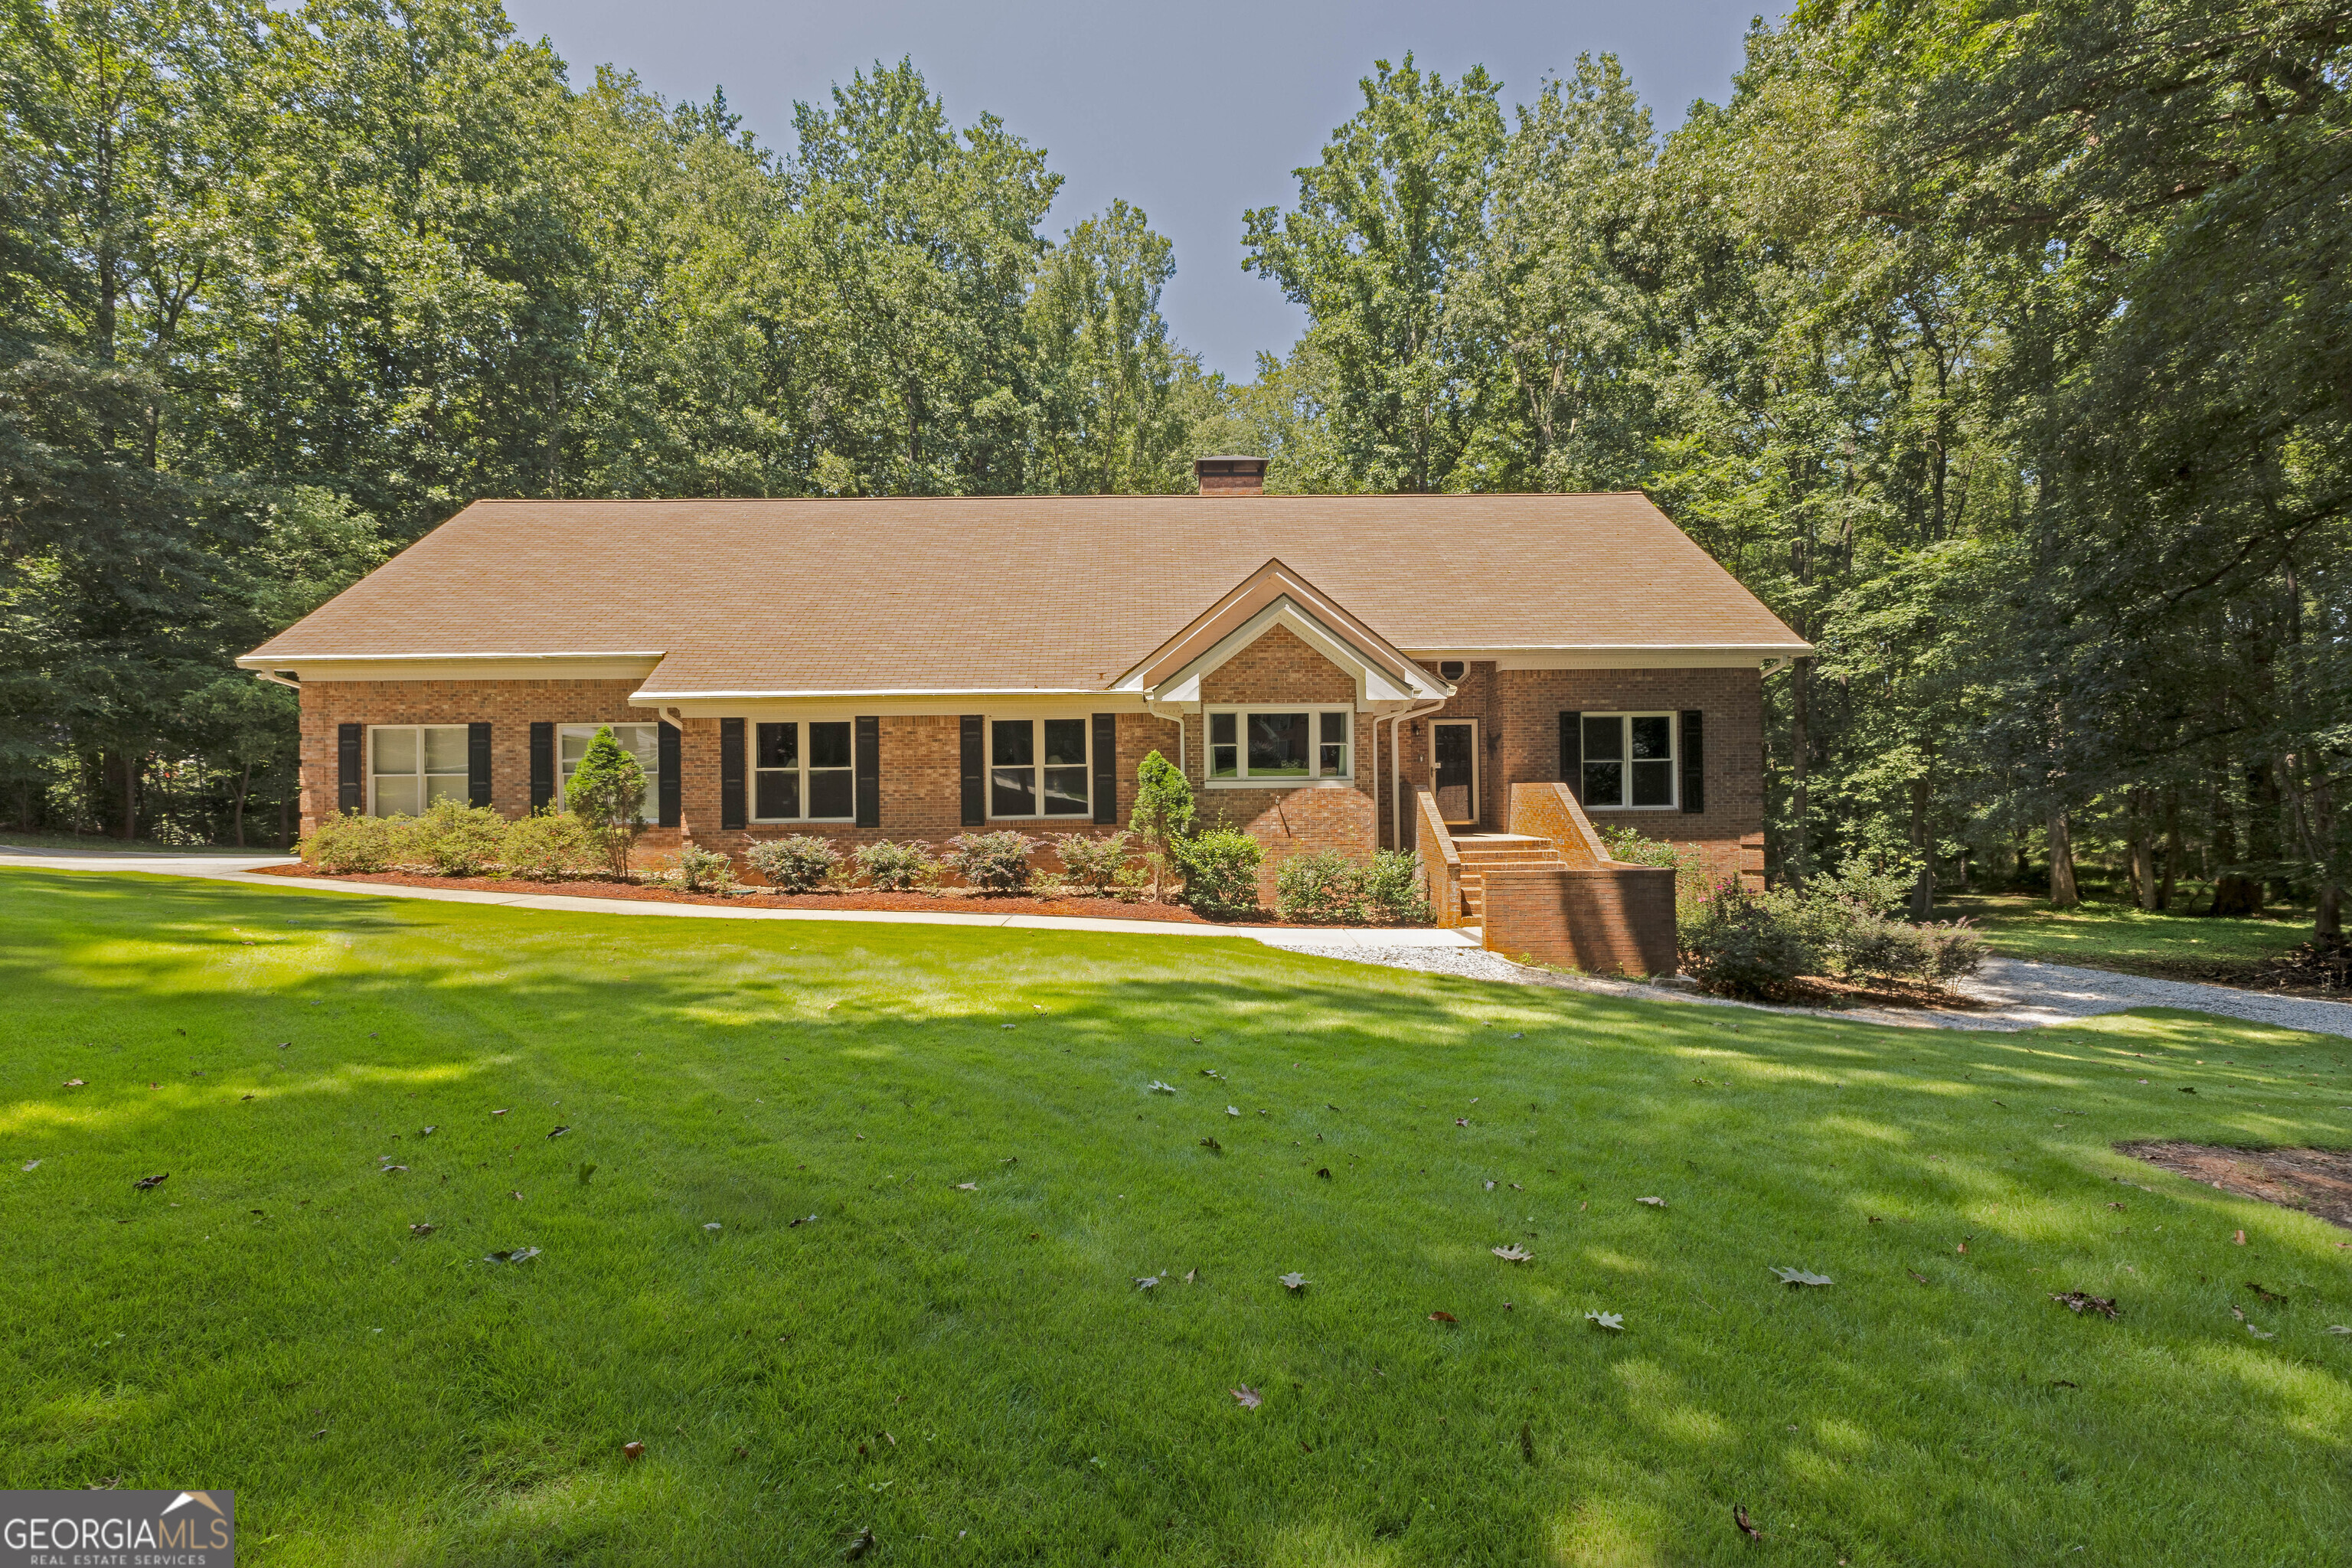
1057, 594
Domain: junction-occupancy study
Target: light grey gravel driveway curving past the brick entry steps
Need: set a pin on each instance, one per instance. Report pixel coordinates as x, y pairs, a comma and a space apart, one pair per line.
2019, 996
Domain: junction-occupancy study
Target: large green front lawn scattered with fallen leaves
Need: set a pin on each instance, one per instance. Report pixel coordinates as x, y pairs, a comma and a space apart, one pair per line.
267, 1322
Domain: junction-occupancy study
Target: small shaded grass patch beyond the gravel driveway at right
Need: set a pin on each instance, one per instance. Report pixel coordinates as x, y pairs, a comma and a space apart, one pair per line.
2125, 937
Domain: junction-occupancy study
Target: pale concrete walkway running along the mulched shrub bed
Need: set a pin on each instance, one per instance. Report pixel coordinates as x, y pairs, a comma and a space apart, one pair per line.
243, 871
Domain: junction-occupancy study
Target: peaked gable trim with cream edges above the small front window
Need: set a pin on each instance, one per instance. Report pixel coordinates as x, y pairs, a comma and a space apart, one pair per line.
1278, 598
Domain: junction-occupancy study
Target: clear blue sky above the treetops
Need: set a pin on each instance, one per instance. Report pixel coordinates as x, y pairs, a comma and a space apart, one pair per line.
1189, 112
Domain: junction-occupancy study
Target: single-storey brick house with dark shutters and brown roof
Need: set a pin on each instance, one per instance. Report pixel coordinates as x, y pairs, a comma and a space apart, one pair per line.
1478, 678
